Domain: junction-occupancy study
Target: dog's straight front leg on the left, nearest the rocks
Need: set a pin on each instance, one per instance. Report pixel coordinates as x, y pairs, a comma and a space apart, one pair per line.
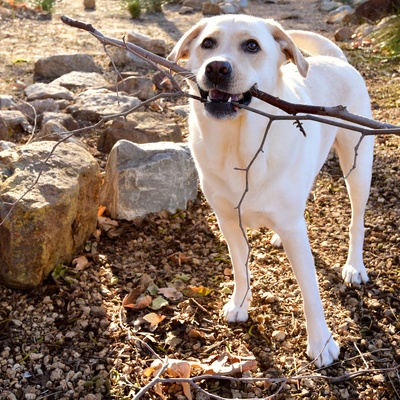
237, 307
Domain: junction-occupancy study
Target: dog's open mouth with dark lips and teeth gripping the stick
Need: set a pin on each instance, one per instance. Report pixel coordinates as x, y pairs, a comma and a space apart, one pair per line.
221, 105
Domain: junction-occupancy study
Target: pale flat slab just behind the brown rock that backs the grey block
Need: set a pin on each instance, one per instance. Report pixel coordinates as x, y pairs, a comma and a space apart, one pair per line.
92, 104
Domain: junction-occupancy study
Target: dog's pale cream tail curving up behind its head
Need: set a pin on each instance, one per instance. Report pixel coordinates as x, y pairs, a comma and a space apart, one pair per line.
315, 44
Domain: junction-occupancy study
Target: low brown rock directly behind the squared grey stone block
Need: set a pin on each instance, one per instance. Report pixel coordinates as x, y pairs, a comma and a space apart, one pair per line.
139, 127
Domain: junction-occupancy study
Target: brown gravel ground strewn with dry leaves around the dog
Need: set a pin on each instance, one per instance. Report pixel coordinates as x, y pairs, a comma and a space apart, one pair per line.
80, 337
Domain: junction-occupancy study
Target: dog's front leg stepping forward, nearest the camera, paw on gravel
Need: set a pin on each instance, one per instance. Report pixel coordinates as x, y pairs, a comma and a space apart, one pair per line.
320, 344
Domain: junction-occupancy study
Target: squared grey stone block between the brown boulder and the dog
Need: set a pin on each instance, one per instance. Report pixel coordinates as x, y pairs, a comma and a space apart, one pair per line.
146, 178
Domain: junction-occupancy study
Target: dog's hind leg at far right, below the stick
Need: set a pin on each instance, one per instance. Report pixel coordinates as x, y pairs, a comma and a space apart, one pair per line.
358, 170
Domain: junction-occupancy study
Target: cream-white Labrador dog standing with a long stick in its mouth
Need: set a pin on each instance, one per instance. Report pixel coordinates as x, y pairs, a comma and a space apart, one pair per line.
228, 55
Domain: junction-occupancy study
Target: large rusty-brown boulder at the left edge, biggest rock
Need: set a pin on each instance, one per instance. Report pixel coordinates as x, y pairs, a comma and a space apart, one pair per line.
55, 218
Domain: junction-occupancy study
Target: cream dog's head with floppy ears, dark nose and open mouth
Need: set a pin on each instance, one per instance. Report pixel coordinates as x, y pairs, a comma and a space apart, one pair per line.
230, 54
